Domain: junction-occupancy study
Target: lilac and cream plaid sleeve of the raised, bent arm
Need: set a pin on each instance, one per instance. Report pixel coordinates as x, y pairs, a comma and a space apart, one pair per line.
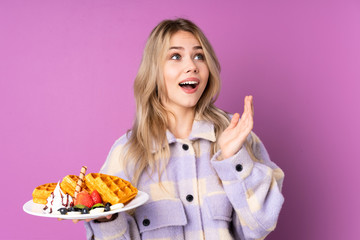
253, 185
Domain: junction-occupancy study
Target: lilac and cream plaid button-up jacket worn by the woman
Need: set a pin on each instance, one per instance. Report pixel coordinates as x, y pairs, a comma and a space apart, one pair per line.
201, 198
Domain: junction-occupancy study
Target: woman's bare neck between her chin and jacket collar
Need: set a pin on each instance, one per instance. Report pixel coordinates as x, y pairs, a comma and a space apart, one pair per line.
180, 122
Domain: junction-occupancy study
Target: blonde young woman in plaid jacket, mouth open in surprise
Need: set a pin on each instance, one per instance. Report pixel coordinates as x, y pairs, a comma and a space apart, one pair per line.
207, 174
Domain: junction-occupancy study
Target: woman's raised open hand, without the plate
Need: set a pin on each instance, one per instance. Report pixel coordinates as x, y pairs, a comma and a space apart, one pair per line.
234, 136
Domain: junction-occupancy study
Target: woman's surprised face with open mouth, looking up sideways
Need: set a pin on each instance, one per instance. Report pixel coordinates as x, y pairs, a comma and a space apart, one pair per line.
185, 71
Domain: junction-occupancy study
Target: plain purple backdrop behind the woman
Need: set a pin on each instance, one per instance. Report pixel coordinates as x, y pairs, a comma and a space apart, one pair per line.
66, 75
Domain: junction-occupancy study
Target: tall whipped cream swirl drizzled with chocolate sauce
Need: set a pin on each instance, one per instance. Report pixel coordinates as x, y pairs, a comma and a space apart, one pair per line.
58, 199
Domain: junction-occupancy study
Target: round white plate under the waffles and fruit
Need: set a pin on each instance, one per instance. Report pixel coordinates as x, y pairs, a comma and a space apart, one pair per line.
37, 209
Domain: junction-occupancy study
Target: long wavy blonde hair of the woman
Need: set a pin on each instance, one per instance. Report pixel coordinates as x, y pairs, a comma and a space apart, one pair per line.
147, 144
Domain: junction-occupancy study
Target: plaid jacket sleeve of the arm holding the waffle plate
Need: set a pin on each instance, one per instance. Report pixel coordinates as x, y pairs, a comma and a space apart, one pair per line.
124, 227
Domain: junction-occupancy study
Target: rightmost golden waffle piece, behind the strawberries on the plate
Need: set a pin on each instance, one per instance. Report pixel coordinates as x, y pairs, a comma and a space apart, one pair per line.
111, 189
